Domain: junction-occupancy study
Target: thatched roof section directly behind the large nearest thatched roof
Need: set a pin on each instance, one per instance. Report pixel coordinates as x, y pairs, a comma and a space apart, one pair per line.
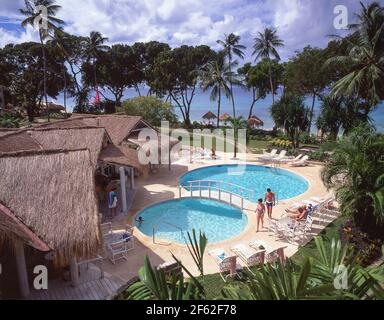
72, 138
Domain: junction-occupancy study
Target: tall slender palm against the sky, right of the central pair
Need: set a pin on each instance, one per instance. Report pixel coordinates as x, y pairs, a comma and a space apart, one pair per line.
265, 47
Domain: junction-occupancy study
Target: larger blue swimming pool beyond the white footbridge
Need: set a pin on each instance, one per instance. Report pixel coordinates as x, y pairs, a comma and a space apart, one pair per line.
283, 183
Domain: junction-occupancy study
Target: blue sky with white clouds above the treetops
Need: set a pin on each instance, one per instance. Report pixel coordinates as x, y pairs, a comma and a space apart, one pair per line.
192, 22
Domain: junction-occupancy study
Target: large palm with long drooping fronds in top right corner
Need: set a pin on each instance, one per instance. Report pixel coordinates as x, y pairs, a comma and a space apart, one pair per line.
364, 57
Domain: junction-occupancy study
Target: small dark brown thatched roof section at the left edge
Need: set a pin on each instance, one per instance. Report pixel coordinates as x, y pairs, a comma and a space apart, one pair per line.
18, 140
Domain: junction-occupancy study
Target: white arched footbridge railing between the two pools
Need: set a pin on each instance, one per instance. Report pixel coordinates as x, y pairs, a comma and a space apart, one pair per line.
220, 187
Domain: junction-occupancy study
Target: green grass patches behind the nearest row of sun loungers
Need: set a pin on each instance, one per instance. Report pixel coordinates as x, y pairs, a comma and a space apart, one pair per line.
213, 283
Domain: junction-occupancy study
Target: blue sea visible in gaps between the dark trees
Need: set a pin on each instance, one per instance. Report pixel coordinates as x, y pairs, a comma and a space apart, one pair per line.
202, 104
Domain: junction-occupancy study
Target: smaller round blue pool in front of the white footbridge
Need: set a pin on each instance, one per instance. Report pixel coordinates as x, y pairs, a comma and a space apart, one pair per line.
171, 220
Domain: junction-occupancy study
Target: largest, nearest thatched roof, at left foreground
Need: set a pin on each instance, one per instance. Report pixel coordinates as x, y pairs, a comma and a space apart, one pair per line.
52, 193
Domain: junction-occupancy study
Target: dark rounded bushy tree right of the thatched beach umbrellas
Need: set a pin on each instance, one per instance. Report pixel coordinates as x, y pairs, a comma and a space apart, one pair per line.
291, 114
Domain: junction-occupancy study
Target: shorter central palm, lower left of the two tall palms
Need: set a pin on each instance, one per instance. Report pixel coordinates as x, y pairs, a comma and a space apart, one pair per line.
217, 75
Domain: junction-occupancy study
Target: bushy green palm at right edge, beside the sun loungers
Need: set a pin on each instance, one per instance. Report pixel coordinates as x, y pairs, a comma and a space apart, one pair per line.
353, 171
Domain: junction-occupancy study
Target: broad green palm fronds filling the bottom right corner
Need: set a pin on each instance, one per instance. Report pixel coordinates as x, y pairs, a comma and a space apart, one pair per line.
313, 278
